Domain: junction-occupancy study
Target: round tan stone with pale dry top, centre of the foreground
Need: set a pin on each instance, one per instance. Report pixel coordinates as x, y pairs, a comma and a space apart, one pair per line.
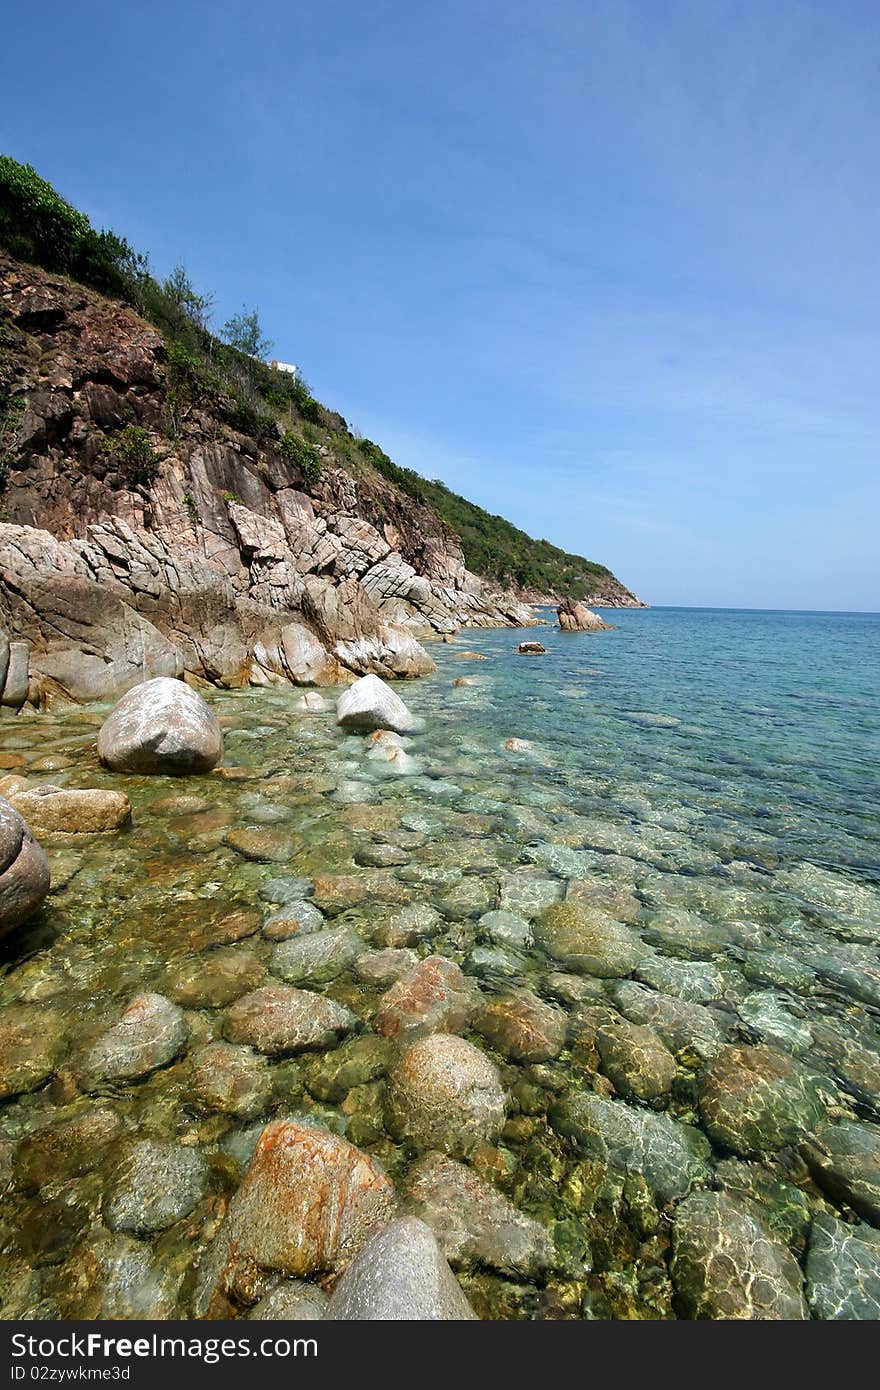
446, 1095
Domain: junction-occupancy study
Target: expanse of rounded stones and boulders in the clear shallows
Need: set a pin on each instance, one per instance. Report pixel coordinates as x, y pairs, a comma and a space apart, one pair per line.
423, 1088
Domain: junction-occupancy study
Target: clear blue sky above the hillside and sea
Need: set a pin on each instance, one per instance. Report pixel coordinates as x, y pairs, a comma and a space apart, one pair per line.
607, 269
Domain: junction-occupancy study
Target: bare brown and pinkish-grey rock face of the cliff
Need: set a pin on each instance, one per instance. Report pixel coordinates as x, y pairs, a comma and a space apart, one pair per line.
145, 537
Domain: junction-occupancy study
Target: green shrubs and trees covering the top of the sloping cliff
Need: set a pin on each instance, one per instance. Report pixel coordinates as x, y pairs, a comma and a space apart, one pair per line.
38, 226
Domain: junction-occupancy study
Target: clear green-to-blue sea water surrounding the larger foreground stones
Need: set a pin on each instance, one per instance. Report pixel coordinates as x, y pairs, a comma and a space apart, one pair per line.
714, 778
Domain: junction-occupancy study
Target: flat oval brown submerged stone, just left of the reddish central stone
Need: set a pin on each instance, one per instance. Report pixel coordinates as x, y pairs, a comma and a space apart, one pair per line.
279, 1020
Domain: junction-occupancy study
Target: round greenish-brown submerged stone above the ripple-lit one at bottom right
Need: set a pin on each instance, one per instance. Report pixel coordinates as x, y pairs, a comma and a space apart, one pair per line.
756, 1102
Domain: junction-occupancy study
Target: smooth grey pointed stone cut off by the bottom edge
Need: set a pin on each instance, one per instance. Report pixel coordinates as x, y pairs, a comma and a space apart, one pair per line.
400, 1277
